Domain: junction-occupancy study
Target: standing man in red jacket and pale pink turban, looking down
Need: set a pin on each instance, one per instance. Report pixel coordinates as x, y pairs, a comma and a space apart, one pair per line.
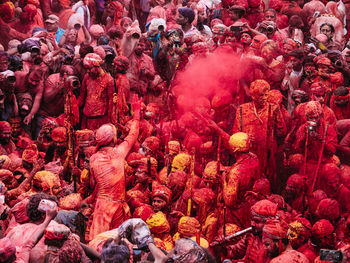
96, 94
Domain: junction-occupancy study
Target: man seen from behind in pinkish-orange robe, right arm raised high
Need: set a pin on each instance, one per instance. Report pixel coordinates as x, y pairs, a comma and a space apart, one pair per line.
107, 171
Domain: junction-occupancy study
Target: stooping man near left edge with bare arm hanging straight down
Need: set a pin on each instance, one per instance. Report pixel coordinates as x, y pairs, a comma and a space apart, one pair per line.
31, 82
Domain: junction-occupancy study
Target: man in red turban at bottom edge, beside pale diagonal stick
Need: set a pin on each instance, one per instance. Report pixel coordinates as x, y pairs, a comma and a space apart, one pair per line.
250, 248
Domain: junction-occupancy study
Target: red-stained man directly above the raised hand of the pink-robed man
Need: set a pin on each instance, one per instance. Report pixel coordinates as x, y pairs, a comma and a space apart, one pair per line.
141, 71
